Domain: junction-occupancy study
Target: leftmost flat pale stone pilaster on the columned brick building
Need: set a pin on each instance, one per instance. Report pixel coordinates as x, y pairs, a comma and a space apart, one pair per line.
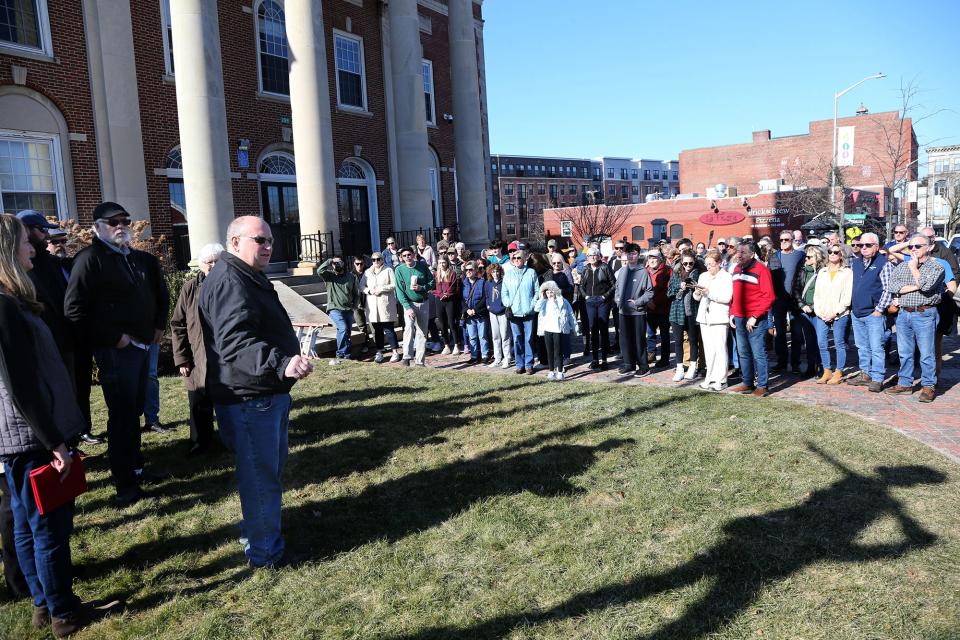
116, 106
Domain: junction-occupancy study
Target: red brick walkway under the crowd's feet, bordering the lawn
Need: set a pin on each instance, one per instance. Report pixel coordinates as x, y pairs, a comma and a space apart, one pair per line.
936, 424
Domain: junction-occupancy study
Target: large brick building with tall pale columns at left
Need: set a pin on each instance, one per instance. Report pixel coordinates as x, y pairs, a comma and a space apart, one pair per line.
348, 117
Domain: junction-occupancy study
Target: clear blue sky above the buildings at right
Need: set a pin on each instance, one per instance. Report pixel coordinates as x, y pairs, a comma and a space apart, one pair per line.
647, 79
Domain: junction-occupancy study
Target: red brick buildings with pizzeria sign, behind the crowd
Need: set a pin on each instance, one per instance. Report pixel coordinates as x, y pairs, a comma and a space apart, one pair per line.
770, 184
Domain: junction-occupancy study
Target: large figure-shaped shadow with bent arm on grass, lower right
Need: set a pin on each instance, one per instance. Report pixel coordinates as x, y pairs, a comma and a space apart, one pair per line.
756, 552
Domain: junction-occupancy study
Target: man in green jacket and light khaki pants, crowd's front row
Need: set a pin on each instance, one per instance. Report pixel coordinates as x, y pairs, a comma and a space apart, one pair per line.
414, 282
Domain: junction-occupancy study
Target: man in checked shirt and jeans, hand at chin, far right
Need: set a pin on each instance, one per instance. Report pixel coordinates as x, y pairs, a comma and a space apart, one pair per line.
919, 283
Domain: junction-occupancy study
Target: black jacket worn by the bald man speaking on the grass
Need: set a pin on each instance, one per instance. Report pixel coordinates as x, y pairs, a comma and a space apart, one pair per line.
246, 332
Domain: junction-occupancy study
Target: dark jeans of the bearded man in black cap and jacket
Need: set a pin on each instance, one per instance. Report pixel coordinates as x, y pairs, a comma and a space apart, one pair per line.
123, 380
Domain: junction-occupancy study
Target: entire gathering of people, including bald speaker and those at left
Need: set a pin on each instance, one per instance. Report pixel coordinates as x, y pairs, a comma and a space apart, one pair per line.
712, 313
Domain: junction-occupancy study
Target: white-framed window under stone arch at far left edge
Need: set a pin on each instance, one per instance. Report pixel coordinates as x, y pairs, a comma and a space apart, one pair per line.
30, 173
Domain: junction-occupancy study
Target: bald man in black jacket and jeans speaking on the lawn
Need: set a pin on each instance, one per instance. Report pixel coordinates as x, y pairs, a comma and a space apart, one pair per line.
253, 360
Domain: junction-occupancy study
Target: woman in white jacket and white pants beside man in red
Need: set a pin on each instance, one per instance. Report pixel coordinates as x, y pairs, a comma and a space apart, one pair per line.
714, 291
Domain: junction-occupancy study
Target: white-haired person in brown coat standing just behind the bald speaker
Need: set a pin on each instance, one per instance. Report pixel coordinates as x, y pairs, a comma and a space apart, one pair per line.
189, 354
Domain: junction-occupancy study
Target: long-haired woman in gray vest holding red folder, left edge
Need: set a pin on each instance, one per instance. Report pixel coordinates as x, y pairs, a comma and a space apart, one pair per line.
42, 421
